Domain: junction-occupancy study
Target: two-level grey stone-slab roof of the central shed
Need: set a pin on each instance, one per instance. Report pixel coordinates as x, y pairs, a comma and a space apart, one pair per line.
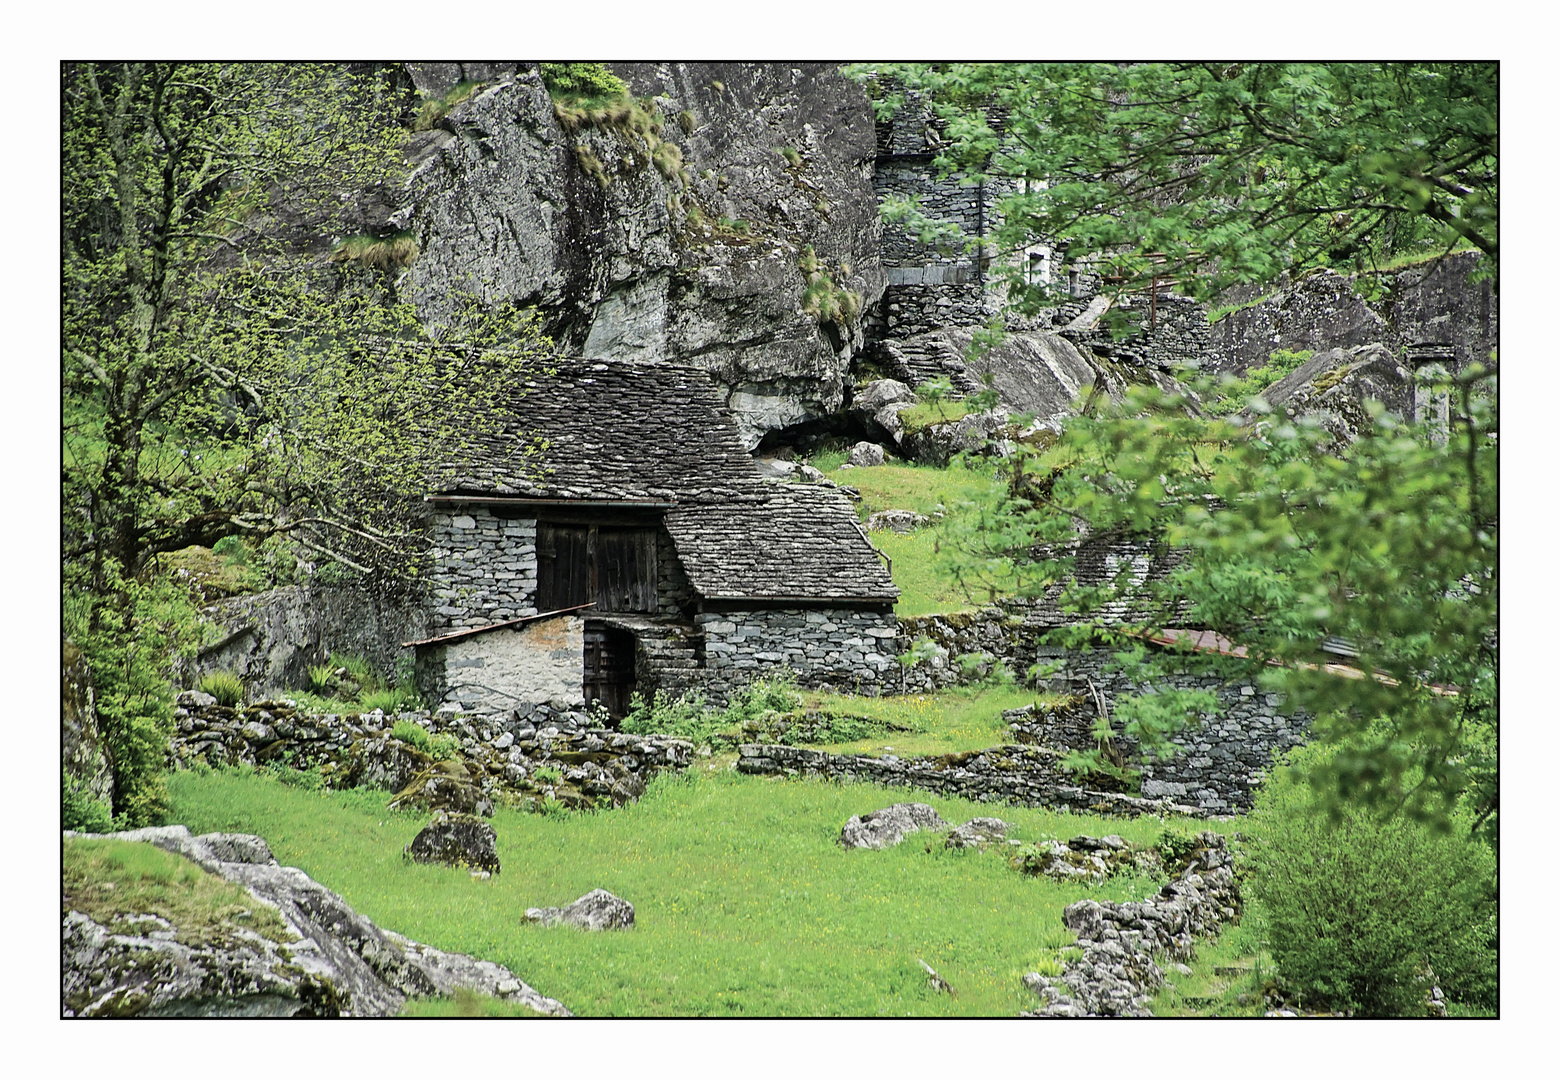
661, 433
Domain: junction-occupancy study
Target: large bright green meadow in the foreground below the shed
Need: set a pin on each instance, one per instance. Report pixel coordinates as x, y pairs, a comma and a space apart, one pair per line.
745, 903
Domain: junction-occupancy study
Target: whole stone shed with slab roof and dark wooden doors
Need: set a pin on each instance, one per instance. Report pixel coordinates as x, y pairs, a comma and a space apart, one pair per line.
642, 552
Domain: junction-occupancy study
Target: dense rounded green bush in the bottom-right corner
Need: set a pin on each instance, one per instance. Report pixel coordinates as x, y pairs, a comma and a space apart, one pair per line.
1360, 909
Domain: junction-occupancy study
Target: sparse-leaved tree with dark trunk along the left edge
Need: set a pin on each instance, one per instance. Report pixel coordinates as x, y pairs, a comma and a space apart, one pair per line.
229, 372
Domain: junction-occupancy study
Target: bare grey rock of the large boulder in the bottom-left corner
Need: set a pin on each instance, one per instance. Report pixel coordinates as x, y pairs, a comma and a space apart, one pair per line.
342, 964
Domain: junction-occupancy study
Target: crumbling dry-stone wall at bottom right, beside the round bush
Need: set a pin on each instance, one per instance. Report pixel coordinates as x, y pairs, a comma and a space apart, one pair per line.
1116, 973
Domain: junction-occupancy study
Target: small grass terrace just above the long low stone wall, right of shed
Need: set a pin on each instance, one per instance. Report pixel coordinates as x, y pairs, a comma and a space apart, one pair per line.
949, 722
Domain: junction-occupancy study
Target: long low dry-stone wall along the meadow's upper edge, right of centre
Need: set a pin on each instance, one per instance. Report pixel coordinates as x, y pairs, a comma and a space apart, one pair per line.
1027, 776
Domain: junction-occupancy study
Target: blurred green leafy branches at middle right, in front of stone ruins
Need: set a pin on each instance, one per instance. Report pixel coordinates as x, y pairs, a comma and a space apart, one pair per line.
1286, 542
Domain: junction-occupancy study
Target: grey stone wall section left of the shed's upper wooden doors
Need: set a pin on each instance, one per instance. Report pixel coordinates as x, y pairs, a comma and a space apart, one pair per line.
484, 569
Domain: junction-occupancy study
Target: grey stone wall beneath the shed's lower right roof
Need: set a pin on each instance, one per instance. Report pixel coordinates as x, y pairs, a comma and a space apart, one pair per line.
842, 648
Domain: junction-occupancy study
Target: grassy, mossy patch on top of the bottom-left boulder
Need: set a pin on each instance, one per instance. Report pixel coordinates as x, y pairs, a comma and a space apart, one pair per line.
113, 879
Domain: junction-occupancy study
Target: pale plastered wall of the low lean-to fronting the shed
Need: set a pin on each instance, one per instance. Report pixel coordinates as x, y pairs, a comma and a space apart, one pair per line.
509, 669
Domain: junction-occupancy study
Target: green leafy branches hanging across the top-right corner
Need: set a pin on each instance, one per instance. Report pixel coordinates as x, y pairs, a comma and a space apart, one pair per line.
1214, 174
